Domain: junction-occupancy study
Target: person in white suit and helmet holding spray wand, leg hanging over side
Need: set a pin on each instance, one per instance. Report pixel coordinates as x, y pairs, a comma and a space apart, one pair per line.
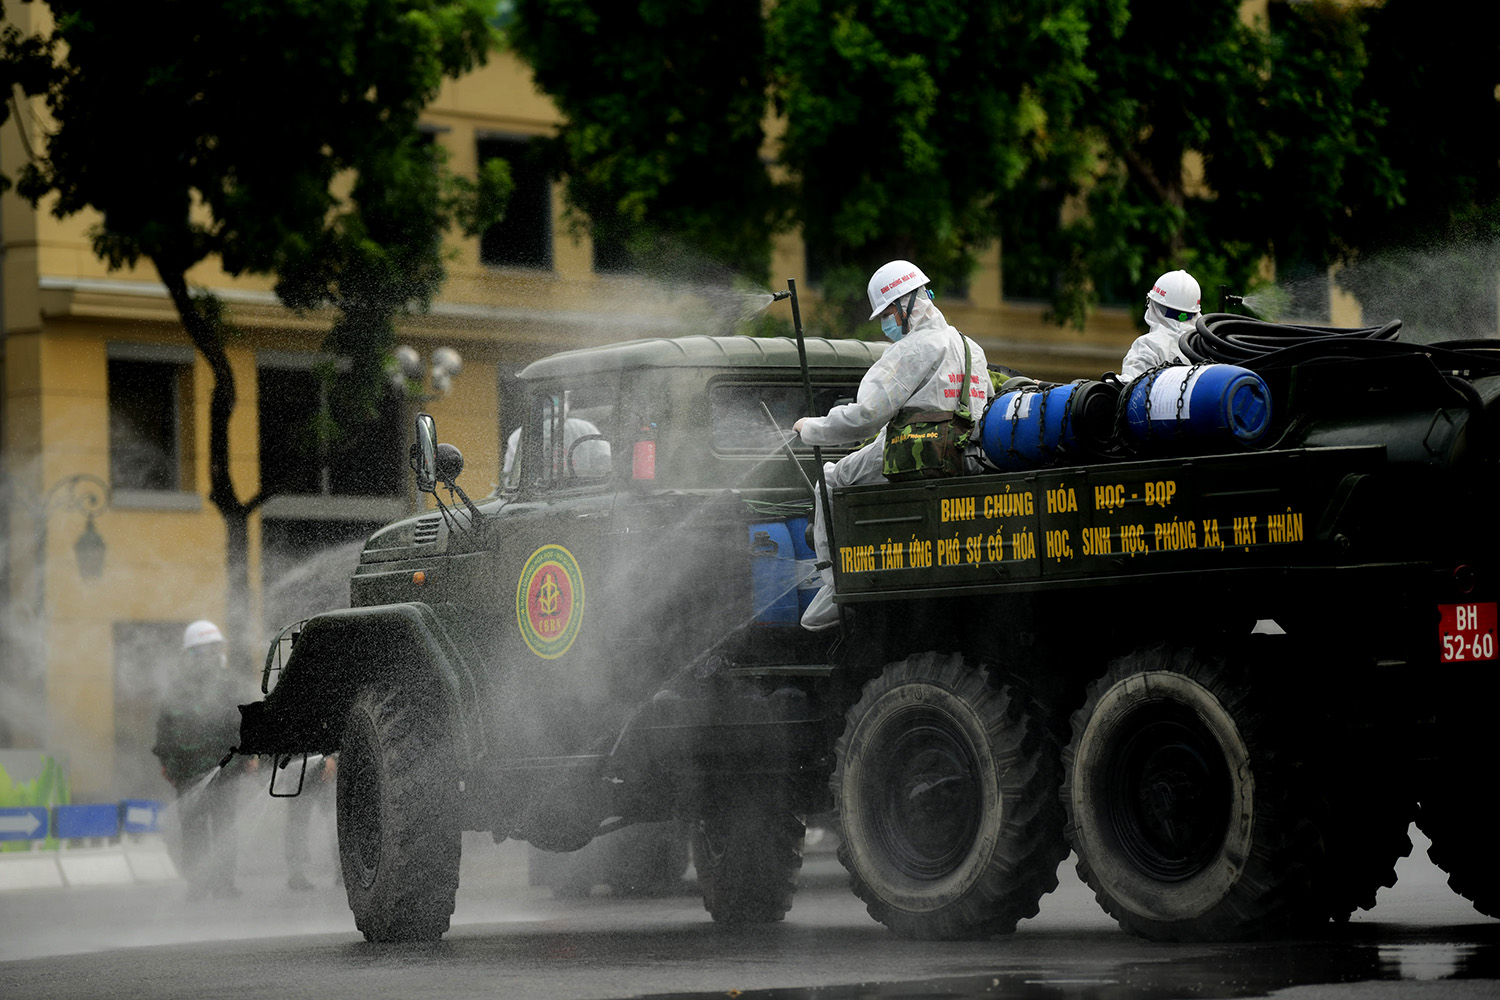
925, 370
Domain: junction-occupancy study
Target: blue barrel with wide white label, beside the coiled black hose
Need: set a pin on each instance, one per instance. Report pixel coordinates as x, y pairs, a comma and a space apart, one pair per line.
1199, 403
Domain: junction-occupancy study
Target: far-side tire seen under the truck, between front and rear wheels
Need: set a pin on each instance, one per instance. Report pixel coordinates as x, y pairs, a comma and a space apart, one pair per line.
748, 854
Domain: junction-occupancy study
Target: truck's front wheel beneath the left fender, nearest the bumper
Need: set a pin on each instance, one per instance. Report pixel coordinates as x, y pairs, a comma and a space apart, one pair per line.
398, 830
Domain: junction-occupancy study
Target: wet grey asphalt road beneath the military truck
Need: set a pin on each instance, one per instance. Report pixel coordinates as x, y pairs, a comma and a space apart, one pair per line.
515, 941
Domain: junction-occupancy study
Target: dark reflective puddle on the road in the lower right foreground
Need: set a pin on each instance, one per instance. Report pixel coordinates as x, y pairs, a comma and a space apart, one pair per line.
1232, 971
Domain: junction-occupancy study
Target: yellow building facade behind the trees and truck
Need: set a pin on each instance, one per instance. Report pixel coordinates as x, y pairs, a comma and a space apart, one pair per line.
106, 428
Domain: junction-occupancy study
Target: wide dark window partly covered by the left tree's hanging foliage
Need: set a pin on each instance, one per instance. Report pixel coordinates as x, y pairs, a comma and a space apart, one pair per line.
311, 449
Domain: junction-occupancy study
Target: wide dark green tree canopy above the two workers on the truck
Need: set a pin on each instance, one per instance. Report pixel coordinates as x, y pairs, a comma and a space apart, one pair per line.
928, 128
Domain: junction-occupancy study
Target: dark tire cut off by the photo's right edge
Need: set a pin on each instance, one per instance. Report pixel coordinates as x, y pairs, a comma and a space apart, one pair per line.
1451, 816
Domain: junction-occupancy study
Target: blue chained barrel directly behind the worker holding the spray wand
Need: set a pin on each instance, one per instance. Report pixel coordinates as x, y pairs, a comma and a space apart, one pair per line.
1036, 427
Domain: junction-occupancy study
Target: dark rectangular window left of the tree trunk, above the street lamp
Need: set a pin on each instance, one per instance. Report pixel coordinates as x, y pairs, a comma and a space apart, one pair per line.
151, 409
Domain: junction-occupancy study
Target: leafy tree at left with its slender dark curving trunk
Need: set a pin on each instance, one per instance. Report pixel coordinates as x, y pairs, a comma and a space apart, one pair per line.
235, 130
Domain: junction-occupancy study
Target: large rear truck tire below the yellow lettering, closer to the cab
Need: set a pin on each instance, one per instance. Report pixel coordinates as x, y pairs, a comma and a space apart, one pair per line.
946, 798
